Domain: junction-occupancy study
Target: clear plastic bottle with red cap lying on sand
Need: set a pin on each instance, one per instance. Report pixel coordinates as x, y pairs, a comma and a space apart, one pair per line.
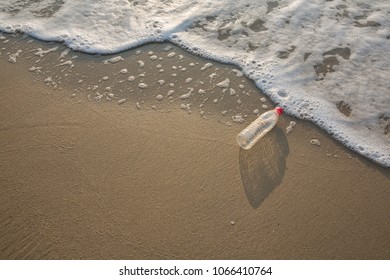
258, 128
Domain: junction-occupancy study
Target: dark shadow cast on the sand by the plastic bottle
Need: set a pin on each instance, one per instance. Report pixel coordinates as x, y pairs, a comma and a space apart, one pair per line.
263, 166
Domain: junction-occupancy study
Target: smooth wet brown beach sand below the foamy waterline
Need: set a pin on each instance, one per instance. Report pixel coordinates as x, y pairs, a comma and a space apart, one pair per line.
83, 177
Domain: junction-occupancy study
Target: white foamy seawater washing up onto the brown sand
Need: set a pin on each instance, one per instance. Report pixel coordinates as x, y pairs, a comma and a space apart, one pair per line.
326, 61
